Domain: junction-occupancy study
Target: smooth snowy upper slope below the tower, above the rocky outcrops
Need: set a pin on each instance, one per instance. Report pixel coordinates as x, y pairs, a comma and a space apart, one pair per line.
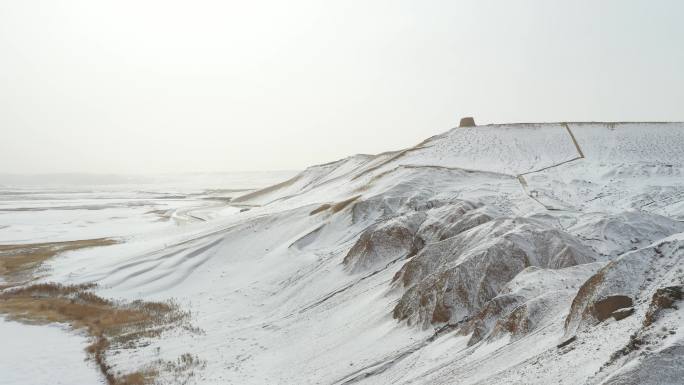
511, 149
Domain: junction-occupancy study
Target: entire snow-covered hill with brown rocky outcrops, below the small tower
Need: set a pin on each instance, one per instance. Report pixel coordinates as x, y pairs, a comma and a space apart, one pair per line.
501, 254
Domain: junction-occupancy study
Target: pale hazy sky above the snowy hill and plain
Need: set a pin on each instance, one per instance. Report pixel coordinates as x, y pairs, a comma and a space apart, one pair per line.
181, 86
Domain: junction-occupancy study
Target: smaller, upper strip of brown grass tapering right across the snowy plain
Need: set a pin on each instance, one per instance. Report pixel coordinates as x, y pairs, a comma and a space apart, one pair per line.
21, 262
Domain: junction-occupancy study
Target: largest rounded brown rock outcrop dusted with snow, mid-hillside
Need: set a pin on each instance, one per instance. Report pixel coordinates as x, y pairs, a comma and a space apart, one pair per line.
460, 274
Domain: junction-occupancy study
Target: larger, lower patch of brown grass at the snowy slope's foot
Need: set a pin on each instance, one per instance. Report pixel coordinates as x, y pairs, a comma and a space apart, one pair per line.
111, 324
